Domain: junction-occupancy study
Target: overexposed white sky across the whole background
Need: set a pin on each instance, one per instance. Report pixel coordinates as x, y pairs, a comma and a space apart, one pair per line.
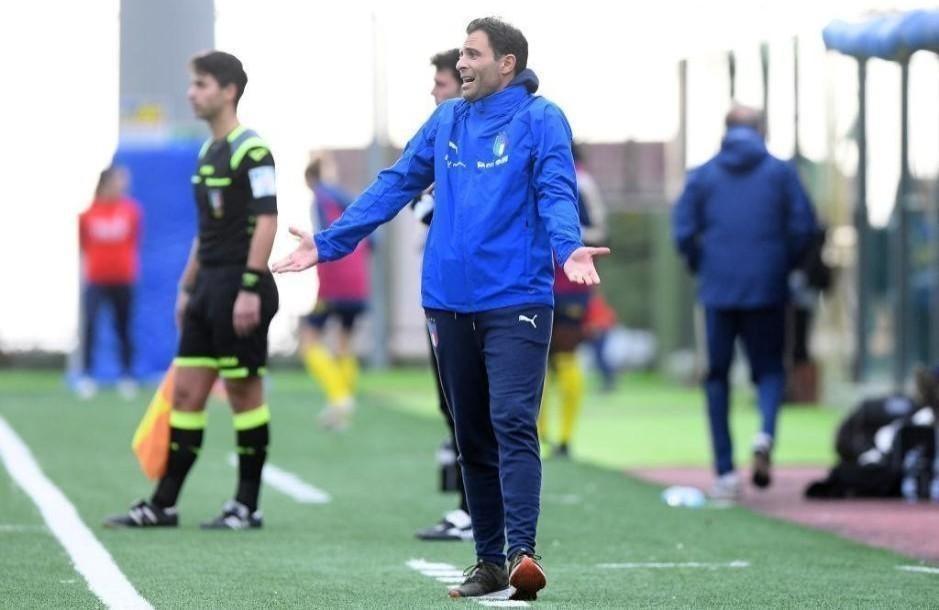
611, 66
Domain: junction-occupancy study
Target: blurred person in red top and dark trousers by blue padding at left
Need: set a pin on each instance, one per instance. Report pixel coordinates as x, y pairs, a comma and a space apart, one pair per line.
109, 236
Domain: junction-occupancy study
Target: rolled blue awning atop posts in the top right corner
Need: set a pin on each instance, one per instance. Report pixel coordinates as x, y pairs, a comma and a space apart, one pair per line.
893, 37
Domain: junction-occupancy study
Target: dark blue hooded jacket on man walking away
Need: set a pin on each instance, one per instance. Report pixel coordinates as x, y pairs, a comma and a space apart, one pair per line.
742, 223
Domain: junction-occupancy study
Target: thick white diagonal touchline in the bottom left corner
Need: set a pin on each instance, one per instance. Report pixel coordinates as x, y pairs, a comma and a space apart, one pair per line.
89, 557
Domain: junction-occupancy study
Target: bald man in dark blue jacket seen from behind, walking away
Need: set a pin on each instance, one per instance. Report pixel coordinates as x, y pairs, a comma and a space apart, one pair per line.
741, 224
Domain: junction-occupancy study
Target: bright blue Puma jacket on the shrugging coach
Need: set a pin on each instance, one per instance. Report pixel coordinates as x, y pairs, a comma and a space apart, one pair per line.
506, 196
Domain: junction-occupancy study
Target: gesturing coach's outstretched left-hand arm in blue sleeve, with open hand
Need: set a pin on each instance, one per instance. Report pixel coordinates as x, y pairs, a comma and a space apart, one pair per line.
394, 188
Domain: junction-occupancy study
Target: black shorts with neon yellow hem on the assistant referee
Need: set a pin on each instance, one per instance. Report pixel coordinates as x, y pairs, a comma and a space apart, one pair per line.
208, 336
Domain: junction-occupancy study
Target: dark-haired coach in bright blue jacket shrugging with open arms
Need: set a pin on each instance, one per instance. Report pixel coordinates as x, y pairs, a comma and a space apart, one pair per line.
506, 208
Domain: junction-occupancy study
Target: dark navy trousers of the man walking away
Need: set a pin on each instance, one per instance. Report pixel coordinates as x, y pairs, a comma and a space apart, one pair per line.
763, 334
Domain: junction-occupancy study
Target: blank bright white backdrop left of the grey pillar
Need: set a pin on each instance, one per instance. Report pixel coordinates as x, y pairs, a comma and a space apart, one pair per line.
59, 115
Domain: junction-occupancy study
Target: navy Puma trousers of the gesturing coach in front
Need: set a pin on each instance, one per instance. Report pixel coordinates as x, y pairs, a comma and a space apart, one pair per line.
492, 368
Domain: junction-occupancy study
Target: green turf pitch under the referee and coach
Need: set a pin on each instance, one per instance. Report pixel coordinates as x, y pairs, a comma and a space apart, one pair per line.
352, 552
